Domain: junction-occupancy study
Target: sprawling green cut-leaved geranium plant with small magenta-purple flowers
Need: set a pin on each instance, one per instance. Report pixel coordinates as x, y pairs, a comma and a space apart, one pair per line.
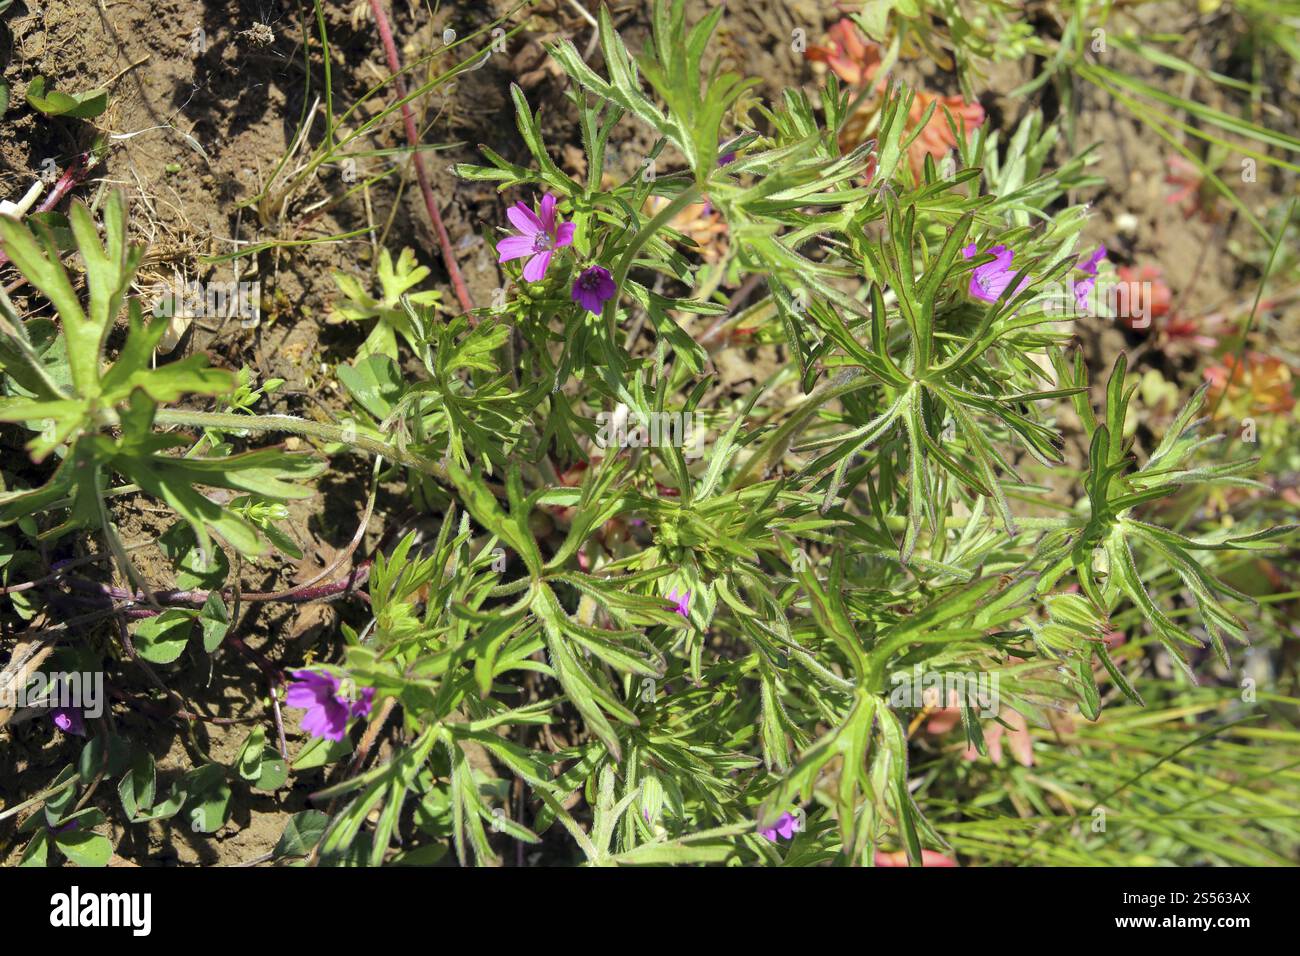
908, 546
